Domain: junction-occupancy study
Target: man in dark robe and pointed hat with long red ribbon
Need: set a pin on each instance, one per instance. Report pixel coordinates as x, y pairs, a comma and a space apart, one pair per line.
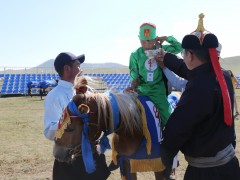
201, 125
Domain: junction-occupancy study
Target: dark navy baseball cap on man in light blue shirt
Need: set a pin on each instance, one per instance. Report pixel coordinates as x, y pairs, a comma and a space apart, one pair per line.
65, 58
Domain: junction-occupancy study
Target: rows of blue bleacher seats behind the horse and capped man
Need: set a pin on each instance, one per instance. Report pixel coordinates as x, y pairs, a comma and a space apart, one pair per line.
18, 83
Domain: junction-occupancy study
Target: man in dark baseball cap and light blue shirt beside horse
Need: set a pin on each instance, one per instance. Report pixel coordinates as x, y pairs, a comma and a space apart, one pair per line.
67, 66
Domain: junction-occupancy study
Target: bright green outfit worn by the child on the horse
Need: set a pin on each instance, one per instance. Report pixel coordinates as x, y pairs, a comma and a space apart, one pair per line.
150, 76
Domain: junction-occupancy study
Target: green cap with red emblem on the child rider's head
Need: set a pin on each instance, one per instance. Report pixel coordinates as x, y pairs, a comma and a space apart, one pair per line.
147, 31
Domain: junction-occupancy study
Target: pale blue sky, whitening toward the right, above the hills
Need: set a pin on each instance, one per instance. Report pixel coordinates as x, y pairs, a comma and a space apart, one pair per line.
33, 31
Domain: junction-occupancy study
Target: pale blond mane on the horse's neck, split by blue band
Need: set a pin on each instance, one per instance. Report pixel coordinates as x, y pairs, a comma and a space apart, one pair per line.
130, 114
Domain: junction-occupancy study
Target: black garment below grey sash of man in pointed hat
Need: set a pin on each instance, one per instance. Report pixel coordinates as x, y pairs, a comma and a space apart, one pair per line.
229, 171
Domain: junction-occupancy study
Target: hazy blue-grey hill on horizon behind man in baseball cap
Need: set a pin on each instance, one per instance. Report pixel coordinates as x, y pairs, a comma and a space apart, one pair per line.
50, 64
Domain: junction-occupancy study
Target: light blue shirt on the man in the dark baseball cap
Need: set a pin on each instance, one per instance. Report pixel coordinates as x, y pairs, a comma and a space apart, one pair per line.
55, 103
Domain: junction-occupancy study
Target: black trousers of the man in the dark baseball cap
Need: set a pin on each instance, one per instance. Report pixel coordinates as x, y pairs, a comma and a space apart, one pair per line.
76, 170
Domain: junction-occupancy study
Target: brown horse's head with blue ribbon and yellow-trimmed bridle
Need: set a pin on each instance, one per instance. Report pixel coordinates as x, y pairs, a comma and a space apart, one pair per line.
68, 137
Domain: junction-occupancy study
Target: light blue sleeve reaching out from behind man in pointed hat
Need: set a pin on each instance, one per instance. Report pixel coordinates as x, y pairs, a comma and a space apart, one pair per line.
177, 82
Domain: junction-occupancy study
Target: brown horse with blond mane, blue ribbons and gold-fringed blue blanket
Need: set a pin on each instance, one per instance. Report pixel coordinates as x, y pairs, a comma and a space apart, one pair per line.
88, 116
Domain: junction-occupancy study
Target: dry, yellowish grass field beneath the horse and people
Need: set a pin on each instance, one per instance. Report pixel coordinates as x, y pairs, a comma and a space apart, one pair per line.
26, 154
